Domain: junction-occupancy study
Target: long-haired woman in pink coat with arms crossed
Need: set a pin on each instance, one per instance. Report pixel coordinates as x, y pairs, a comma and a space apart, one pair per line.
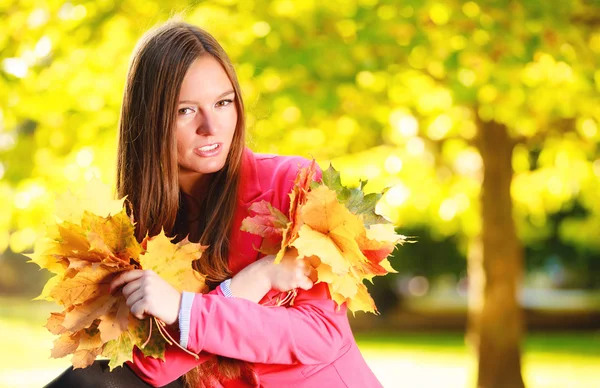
183, 165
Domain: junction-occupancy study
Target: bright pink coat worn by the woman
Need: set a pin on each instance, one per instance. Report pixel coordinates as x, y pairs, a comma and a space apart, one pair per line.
309, 344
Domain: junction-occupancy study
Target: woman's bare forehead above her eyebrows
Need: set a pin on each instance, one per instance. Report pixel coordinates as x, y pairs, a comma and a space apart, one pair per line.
205, 79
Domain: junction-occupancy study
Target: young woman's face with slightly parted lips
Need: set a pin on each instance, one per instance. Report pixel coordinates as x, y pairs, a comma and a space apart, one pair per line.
206, 118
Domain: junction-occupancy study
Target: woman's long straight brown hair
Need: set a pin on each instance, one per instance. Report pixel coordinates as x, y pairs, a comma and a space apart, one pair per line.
147, 168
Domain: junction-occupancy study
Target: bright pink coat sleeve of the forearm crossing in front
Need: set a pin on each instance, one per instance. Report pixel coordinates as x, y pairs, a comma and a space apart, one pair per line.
312, 331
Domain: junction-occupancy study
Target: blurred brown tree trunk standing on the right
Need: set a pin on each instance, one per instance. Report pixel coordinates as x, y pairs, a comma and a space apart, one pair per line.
495, 269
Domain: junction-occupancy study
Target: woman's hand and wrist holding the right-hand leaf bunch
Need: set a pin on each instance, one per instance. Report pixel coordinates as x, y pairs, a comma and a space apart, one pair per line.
254, 281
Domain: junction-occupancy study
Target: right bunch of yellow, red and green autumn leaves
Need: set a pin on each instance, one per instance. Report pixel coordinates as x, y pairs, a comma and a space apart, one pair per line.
334, 225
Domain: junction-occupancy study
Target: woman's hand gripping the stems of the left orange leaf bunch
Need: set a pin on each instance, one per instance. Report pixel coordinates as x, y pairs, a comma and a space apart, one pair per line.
149, 294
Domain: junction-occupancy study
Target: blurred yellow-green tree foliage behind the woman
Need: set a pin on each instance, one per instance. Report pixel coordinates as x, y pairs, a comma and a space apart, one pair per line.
390, 90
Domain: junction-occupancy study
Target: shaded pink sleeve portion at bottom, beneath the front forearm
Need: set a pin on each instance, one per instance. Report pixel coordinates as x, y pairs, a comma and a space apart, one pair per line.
176, 363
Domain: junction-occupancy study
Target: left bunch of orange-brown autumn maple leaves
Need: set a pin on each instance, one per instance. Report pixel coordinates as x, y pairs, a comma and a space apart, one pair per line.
91, 243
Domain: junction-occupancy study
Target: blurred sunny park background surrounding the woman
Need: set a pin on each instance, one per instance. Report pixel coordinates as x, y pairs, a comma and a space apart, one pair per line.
481, 117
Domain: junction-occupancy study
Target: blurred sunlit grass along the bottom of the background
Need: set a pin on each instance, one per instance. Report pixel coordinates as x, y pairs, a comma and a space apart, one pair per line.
557, 360
